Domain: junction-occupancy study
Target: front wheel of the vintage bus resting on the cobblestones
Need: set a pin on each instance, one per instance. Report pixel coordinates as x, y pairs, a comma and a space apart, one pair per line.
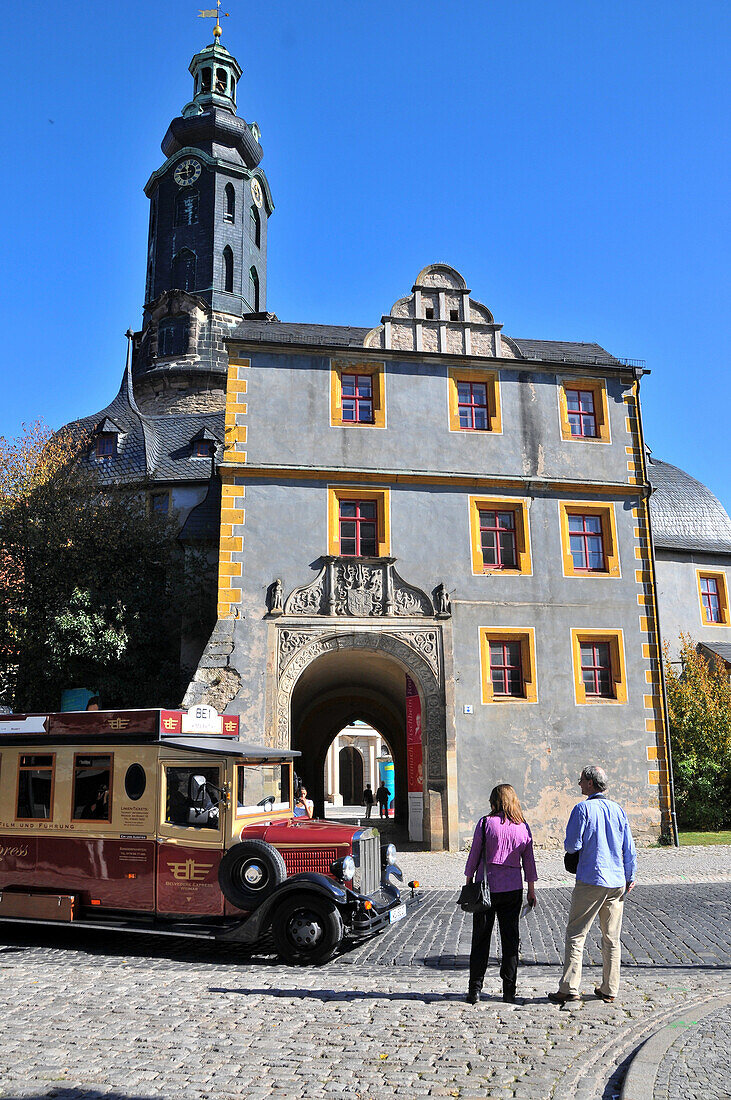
307, 930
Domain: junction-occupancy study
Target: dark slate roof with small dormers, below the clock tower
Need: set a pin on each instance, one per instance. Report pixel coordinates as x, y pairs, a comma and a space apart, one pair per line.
151, 447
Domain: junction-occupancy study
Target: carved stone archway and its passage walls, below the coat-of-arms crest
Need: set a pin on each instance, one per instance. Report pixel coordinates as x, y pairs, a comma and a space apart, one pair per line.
329, 676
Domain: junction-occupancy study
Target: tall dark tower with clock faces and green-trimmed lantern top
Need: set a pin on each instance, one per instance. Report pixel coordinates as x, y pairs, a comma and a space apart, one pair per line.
209, 208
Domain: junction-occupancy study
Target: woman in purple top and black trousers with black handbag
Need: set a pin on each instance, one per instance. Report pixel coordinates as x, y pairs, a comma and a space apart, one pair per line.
502, 843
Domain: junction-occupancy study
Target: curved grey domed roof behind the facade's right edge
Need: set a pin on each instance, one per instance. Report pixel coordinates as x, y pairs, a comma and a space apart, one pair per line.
685, 514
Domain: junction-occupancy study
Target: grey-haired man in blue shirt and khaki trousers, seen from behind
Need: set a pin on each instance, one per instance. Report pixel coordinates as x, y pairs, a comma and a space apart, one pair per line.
600, 832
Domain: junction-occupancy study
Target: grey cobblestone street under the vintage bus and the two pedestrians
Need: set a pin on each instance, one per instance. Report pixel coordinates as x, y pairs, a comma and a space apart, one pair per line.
90, 1015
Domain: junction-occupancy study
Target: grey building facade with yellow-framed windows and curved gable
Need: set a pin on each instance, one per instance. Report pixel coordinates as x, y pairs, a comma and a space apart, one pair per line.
436, 437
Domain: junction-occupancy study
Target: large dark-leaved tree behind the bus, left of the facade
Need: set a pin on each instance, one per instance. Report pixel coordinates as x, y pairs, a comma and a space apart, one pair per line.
93, 586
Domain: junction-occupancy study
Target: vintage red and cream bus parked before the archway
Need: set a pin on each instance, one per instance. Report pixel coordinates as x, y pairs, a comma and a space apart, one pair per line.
165, 821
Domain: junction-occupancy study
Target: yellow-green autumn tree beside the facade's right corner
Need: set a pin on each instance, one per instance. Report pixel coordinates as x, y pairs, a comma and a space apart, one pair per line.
700, 710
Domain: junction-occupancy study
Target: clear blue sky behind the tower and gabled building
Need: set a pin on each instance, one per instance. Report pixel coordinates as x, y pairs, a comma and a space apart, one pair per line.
571, 159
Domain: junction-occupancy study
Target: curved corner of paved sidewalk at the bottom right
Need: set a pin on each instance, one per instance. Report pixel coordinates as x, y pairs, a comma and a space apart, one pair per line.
696, 1066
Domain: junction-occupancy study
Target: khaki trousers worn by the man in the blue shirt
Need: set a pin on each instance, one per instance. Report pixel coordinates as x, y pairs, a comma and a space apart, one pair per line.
586, 903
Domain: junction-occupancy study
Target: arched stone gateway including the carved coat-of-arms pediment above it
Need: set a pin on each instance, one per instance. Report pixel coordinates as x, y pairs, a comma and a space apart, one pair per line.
338, 667
